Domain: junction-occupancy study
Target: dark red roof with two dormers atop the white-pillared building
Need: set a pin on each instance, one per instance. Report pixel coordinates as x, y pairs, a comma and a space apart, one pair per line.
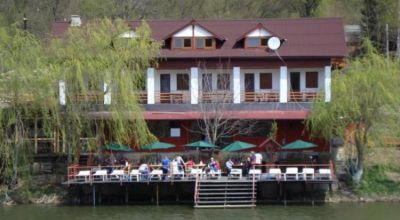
306, 37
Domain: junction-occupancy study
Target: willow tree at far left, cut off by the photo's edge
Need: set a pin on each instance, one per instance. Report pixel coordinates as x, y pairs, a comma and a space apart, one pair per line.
24, 85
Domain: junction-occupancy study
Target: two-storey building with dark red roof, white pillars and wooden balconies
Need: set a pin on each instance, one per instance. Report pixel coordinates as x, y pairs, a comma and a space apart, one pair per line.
208, 61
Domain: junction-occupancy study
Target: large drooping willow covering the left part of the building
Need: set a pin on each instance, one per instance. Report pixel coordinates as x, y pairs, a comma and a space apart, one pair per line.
102, 64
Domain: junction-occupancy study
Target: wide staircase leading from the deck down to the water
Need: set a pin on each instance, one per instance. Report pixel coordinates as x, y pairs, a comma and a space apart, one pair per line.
225, 193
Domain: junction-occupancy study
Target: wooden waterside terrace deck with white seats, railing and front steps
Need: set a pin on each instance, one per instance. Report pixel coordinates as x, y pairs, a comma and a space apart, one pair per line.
264, 183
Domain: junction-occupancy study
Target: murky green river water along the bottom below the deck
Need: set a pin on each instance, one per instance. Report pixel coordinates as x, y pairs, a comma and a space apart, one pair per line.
352, 211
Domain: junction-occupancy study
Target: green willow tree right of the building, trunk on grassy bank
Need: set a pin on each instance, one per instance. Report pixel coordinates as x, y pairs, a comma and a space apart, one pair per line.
364, 98
